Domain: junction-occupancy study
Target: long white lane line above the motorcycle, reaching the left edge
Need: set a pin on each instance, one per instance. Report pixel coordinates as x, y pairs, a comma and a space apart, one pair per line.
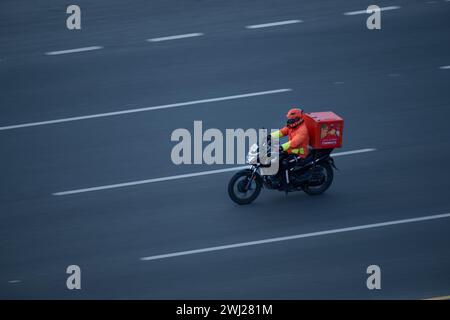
166, 106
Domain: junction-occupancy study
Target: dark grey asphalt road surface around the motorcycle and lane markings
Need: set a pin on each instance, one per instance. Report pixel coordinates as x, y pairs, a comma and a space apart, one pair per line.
390, 85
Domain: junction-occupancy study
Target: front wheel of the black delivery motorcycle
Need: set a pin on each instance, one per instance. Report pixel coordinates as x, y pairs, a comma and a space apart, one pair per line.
244, 188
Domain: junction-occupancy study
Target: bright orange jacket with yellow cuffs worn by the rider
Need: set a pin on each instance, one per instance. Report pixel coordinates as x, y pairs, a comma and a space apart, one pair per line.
298, 139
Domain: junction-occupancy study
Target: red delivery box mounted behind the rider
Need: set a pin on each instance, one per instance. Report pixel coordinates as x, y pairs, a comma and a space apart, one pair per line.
325, 129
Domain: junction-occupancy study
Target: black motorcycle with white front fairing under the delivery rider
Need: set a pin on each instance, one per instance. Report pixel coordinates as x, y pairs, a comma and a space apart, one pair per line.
312, 175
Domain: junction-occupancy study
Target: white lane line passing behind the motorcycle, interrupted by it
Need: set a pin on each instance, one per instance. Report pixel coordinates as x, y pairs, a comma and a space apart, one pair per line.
181, 176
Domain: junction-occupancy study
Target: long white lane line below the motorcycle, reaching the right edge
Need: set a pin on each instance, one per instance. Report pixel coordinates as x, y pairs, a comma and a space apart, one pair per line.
296, 236
